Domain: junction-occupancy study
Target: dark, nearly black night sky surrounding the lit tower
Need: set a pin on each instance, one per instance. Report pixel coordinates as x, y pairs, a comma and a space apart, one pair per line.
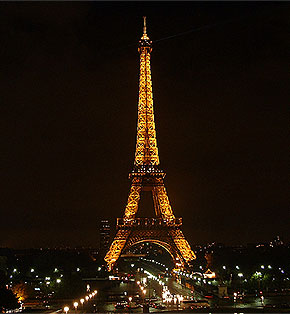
69, 91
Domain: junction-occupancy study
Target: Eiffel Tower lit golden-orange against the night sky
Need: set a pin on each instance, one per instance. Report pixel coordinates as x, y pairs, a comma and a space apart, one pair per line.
164, 229
